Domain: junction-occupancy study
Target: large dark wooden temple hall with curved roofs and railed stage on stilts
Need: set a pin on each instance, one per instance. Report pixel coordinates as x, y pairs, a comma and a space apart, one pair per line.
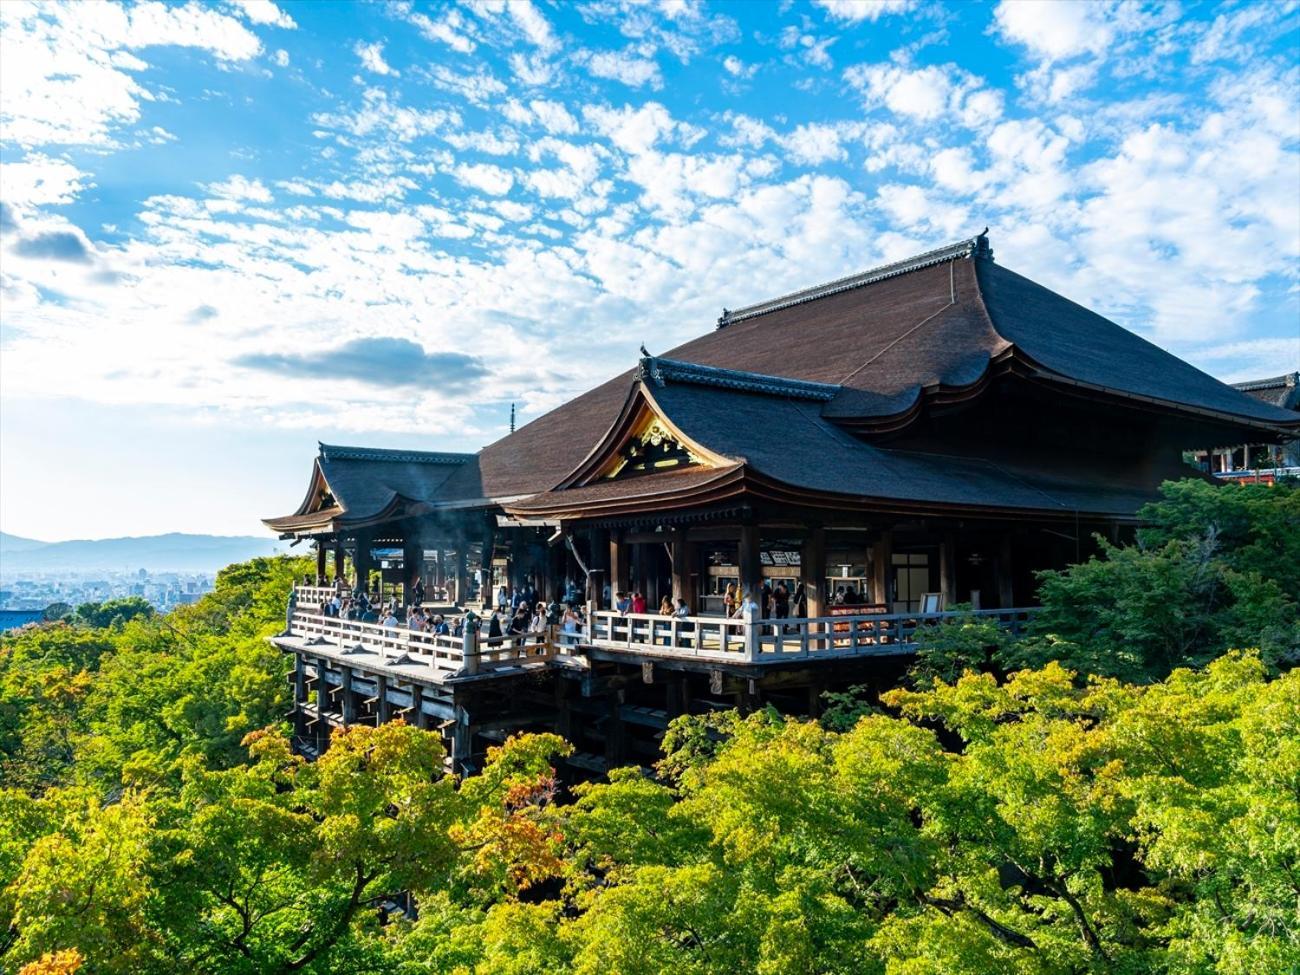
882, 448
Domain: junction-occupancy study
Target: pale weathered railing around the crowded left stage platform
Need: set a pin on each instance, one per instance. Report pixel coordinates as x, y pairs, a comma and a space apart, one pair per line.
444, 655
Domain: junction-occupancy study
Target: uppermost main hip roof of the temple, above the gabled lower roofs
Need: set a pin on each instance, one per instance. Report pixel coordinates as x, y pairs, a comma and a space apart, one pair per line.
941, 326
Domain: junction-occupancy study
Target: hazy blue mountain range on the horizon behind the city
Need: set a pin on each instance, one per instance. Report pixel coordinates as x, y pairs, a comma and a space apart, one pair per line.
161, 553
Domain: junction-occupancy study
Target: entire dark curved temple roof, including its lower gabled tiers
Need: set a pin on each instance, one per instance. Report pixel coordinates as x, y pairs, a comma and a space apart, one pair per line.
860, 354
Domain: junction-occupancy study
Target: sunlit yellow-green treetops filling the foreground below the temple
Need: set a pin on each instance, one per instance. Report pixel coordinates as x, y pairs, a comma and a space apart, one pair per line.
1050, 824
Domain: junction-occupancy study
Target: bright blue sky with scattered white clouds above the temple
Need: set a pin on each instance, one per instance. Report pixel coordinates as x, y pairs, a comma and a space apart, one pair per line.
231, 231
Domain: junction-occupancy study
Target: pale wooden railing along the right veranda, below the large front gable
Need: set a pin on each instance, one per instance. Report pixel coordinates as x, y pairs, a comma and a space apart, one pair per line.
755, 640
